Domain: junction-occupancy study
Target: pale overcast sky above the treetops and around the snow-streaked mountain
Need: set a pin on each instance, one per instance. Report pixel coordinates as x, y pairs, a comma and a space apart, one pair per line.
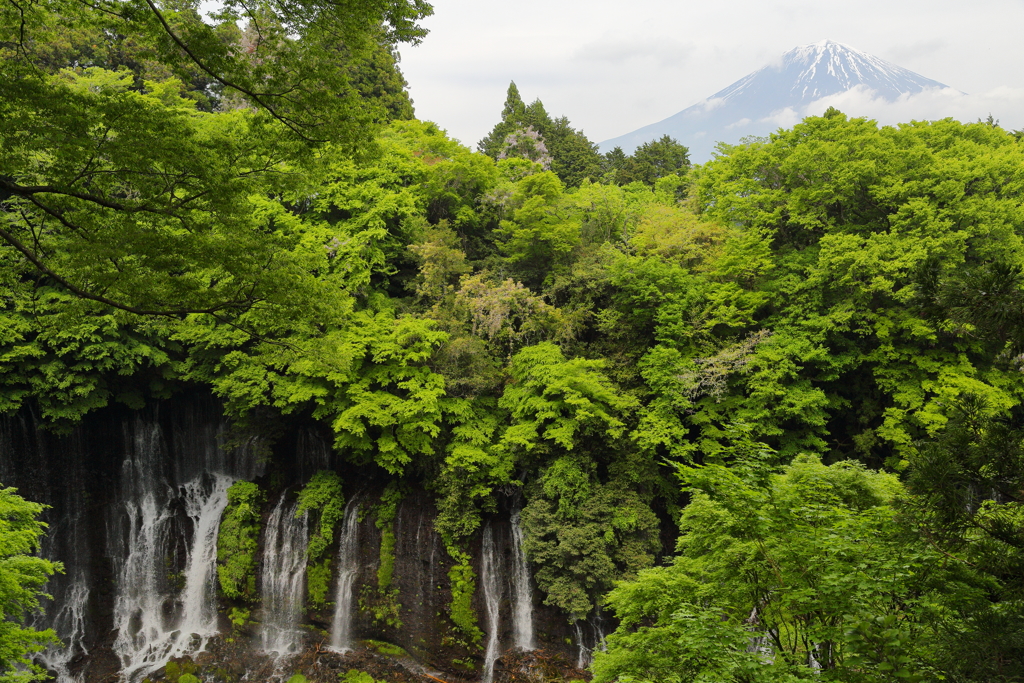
613, 68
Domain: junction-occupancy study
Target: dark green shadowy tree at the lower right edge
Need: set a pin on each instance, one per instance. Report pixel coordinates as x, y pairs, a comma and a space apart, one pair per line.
967, 501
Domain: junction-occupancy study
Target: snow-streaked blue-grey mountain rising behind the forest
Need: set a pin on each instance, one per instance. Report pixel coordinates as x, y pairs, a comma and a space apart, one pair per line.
780, 95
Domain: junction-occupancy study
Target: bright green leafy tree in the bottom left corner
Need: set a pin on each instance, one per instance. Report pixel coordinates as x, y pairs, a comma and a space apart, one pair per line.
23, 577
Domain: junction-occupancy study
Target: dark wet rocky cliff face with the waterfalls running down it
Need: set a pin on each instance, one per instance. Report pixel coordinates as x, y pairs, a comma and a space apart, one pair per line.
137, 498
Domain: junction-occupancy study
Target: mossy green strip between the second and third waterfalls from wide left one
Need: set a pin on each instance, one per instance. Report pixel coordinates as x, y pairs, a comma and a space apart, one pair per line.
324, 497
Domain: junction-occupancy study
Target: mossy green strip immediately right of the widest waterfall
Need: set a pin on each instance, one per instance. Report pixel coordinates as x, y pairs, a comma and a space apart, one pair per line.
238, 541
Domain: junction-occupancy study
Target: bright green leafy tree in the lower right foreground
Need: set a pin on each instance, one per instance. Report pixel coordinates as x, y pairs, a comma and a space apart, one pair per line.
803, 575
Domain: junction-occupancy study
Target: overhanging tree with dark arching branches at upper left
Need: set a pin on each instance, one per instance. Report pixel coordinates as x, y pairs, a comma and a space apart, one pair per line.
136, 200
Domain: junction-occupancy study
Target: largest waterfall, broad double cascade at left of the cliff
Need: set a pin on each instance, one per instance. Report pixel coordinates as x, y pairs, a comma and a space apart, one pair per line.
160, 526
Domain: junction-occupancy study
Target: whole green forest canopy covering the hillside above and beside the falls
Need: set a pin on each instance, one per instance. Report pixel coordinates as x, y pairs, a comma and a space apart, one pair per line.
750, 344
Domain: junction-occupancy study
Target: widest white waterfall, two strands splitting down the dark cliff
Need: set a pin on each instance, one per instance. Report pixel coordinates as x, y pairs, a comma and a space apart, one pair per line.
153, 623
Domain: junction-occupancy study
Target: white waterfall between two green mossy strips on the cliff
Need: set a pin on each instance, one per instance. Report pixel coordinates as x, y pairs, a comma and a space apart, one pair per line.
284, 579
